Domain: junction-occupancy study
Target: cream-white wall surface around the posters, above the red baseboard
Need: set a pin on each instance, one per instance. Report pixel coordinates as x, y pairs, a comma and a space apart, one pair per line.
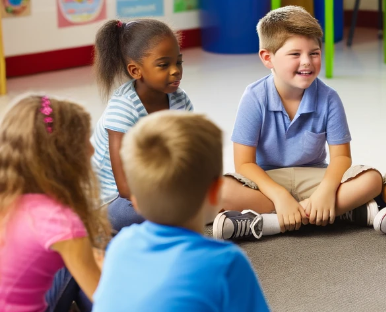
39, 32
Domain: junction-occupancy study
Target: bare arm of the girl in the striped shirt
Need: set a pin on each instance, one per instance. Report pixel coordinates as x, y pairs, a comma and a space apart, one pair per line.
115, 142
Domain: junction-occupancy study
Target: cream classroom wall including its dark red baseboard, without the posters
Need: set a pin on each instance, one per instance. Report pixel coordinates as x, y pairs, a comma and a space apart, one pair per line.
34, 43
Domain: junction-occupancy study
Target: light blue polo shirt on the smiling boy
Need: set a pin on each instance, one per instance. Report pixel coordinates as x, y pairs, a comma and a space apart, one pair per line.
263, 122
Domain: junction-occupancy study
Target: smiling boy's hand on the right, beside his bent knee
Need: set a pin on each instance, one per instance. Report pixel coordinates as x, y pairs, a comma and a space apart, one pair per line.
320, 207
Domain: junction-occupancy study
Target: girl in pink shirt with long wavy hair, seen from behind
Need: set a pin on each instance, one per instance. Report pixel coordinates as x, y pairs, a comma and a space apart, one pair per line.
49, 214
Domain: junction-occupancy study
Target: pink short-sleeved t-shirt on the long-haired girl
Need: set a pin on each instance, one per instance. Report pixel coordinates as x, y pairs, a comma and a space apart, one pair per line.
27, 264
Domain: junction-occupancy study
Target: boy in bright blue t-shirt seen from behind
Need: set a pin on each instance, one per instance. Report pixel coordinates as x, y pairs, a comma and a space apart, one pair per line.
166, 264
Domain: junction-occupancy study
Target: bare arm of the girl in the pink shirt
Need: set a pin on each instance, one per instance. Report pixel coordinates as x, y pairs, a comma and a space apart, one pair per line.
78, 257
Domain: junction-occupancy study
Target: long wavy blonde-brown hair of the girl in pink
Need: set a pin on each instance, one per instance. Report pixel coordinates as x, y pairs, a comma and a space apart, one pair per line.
56, 163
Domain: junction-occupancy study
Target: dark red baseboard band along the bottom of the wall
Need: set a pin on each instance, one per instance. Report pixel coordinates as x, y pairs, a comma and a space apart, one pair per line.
29, 64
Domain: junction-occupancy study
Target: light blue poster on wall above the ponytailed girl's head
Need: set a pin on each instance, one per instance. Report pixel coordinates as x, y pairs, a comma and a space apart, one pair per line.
140, 8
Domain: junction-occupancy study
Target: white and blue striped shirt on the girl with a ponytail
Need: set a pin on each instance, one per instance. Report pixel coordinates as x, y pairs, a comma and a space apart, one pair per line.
122, 113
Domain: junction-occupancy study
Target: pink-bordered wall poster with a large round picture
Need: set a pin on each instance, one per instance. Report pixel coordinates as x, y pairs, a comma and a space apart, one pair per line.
80, 12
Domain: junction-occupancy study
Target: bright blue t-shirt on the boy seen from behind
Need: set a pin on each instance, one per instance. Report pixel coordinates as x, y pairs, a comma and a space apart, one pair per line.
154, 268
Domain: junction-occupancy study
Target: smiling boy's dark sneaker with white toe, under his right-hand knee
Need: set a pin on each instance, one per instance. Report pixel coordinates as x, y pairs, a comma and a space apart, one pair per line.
363, 215
